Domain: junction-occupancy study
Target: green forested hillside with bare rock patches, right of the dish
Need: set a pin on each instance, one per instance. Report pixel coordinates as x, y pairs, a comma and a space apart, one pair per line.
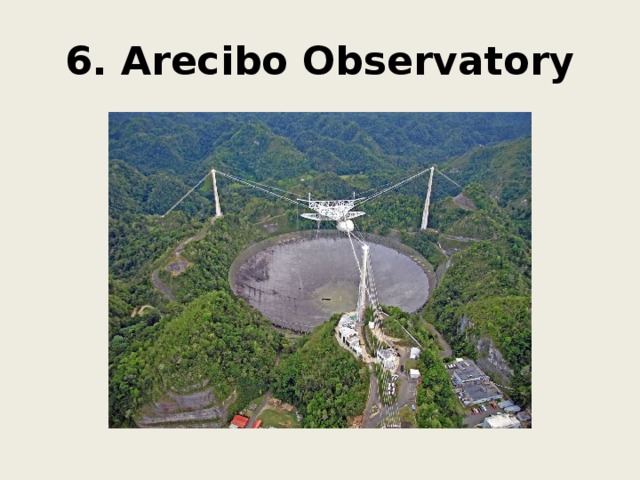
486, 293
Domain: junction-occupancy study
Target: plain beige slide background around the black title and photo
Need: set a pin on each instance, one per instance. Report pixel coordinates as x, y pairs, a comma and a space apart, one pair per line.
54, 236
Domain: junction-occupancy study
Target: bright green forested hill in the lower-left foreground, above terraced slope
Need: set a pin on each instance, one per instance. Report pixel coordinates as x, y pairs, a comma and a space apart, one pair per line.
216, 343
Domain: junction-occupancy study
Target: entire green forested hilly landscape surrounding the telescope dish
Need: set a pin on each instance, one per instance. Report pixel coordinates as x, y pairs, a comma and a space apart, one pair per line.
154, 159
